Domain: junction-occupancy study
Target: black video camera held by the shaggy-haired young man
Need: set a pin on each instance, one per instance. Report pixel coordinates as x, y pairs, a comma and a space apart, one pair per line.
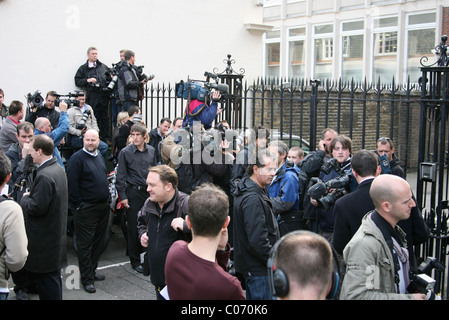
326, 193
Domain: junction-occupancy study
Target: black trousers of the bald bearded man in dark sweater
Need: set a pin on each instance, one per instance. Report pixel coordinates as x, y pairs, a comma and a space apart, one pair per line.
91, 223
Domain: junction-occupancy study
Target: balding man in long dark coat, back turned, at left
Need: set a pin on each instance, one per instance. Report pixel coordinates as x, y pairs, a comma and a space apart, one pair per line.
45, 209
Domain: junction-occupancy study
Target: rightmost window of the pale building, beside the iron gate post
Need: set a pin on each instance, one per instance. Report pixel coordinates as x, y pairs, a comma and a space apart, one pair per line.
420, 39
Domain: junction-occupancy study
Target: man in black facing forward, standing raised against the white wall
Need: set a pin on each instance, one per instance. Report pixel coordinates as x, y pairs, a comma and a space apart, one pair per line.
91, 77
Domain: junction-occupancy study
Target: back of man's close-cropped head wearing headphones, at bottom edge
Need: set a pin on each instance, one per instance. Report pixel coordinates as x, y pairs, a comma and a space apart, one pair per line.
300, 267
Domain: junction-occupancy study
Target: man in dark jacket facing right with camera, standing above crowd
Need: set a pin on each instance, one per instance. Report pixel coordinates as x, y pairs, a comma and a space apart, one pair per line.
129, 81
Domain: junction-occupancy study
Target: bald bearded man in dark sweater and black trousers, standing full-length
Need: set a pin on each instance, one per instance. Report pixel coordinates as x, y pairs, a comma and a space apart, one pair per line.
89, 198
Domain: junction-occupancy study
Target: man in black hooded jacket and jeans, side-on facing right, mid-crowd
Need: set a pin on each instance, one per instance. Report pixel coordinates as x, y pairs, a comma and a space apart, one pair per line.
255, 227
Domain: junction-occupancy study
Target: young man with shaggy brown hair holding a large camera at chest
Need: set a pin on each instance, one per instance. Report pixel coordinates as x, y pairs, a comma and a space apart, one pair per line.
340, 148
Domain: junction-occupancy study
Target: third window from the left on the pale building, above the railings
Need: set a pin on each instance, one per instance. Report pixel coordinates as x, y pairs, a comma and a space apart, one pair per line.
324, 49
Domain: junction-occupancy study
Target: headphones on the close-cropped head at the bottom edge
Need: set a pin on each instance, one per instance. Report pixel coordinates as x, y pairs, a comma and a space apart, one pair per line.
279, 284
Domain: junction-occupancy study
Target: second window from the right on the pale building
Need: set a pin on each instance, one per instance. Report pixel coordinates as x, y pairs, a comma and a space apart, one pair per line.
385, 46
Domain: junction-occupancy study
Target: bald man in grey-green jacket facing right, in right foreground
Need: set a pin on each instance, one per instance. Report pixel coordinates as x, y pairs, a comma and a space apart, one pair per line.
377, 253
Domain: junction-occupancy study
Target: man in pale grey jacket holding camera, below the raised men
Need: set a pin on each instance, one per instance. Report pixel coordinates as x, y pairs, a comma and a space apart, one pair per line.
82, 118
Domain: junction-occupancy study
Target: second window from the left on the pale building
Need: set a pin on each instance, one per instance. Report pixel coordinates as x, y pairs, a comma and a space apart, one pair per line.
296, 52
